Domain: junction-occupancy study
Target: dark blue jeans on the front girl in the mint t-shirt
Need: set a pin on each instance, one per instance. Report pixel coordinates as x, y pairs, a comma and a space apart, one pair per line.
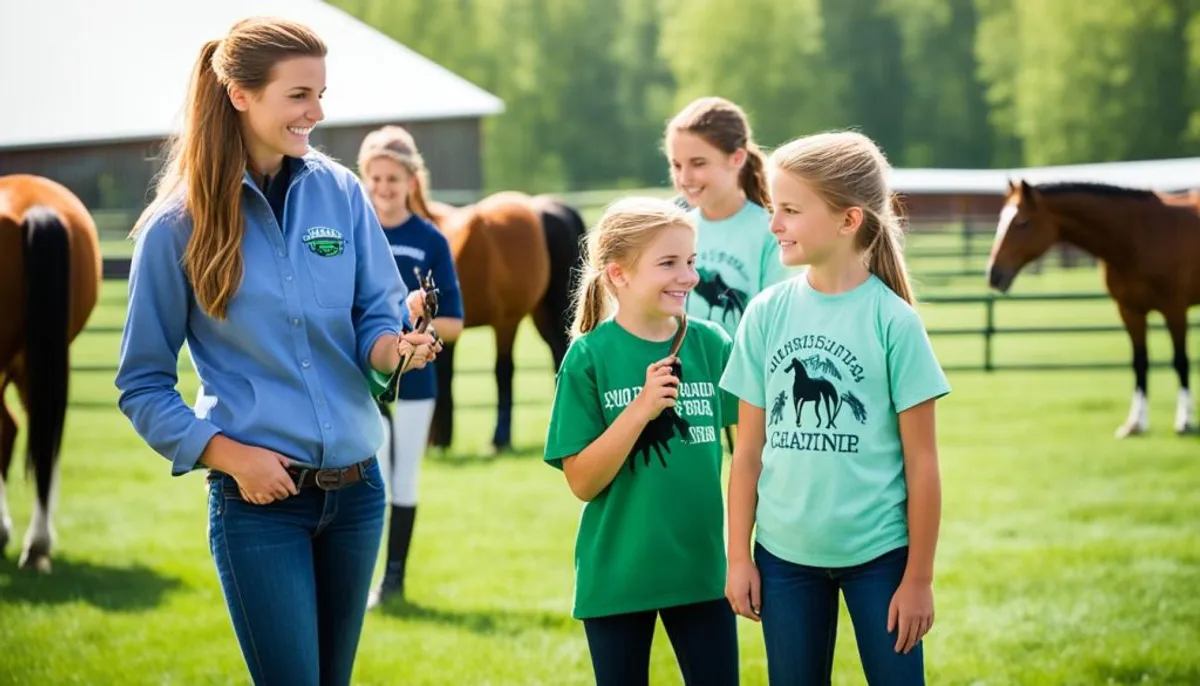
800, 619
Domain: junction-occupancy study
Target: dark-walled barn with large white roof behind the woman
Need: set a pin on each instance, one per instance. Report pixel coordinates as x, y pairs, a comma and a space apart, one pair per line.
92, 109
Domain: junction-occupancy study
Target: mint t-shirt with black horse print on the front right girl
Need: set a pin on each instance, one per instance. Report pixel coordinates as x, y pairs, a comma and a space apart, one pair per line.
832, 374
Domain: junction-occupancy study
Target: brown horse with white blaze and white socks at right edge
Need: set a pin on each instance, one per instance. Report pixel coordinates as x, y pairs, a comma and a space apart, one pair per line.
1150, 252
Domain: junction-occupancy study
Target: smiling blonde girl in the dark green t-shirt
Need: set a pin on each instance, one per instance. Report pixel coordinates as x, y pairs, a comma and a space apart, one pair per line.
635, 429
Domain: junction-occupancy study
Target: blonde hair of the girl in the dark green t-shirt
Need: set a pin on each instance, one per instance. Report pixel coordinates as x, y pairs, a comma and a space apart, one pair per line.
626, 230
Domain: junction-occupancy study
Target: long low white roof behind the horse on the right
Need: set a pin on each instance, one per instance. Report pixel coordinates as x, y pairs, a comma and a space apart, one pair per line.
1150, 174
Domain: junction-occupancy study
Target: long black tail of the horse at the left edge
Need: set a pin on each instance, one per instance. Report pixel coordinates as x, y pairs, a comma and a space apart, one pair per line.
47, 262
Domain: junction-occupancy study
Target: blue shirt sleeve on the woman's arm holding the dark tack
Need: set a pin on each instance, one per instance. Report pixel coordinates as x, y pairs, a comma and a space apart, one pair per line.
379, 291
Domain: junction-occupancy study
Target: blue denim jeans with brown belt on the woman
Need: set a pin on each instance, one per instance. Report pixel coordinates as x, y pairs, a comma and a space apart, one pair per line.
296, 576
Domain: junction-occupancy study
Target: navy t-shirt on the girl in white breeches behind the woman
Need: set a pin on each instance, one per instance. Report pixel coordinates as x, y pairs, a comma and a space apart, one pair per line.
419, 244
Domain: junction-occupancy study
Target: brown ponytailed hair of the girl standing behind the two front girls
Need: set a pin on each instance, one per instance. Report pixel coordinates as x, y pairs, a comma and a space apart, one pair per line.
724, 127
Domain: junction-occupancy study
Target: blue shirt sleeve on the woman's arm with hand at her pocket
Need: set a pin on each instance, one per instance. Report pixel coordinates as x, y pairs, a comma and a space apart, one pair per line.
155, 330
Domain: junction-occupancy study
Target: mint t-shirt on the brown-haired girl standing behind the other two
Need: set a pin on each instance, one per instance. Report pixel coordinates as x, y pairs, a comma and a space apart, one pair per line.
736, 258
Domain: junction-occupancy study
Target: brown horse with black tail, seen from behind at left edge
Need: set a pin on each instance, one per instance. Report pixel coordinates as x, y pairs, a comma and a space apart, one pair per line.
50, 280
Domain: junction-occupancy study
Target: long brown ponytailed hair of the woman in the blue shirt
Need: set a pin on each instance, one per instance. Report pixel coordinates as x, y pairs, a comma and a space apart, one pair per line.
207, 160
